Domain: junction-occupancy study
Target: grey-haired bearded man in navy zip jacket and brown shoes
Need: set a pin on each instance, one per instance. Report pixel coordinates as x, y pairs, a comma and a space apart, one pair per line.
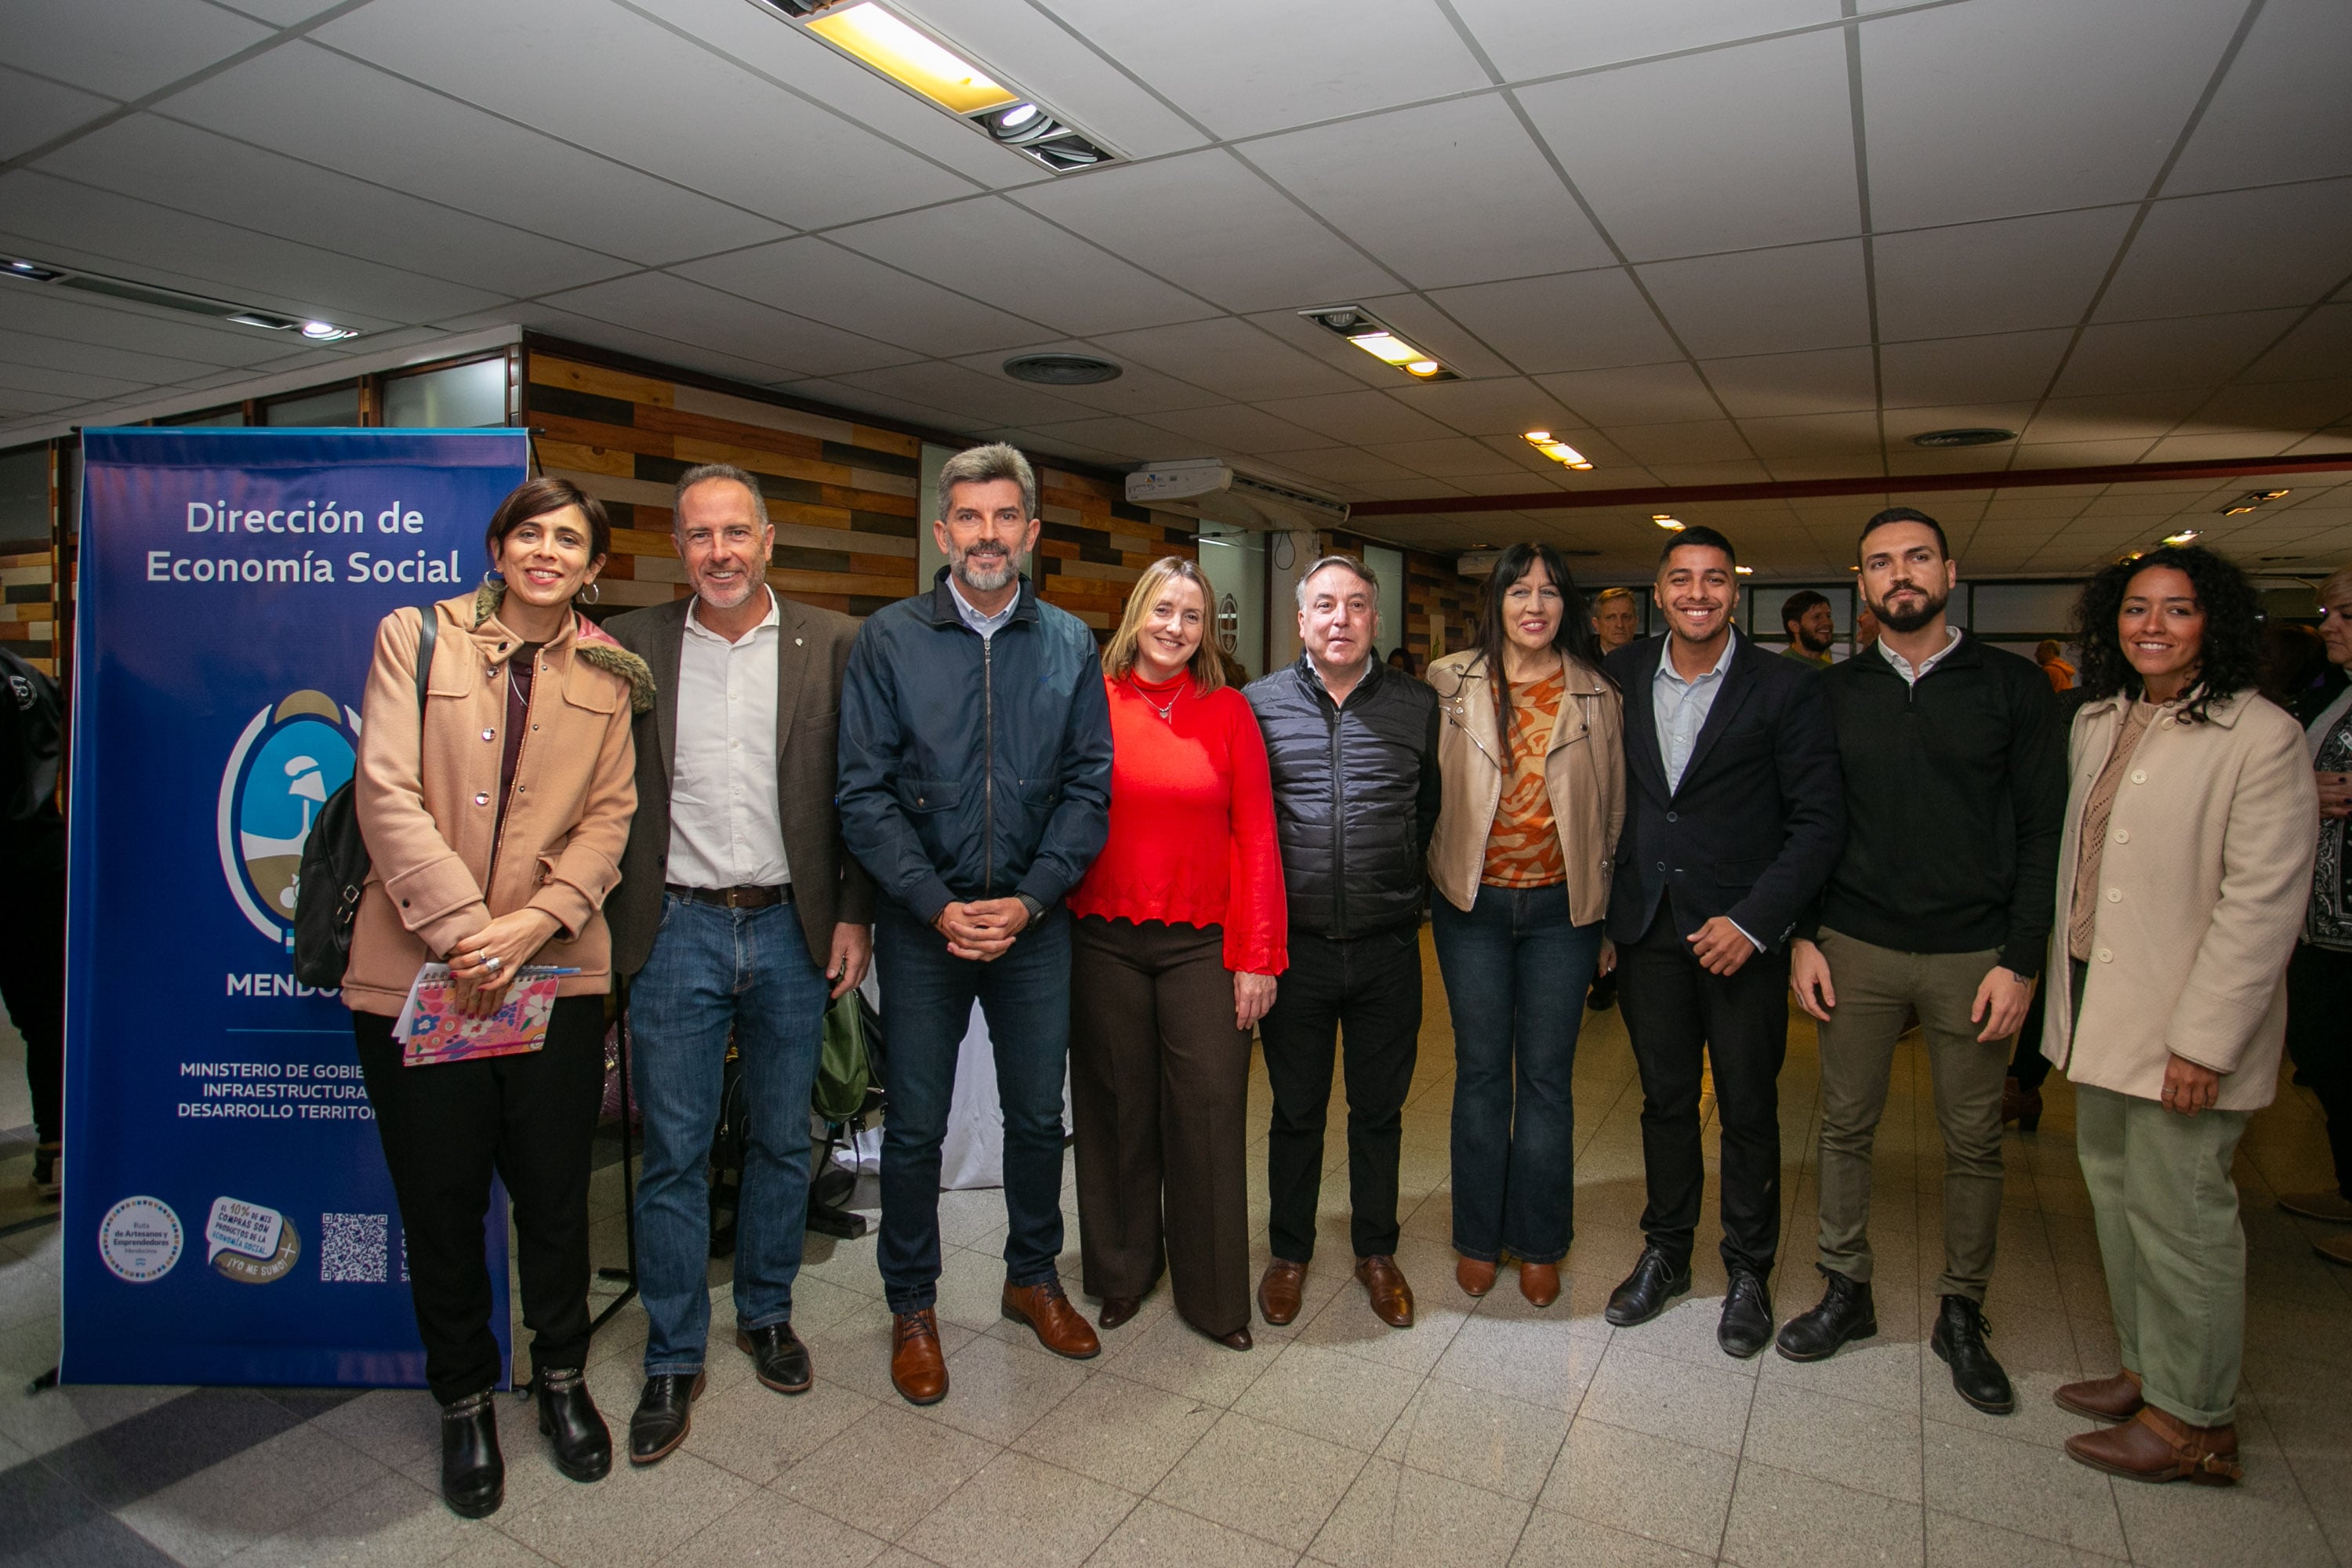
975, 786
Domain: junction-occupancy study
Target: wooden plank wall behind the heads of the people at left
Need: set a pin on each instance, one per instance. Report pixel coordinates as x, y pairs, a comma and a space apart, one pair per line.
843, 495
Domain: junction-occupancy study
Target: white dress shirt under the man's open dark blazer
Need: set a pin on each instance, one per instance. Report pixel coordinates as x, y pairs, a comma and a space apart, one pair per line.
723, 782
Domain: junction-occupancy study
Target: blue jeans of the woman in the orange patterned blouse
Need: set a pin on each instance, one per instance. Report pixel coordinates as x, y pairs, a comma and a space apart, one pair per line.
1516, 970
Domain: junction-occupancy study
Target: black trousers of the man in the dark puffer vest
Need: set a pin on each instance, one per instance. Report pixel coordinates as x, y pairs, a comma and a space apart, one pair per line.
1365, 996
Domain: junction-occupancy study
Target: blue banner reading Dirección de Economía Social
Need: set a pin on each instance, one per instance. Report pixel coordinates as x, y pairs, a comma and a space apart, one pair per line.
229, 1217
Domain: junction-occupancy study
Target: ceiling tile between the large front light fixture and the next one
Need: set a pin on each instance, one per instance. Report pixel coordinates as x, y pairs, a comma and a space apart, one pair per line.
1212, 227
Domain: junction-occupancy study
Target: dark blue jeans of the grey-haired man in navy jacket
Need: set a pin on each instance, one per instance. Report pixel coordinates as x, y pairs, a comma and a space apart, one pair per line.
926, 1010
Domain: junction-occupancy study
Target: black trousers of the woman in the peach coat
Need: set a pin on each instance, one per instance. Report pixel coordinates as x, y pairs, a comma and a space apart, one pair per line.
446, 1130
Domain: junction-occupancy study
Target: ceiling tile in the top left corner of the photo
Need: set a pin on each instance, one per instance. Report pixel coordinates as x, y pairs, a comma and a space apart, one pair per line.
126, 48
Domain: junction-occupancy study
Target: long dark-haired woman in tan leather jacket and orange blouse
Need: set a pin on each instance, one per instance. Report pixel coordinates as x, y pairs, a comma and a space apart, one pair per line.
1535, 796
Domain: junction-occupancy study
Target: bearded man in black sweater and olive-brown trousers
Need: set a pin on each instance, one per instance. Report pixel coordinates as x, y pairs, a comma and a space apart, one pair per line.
1956, 796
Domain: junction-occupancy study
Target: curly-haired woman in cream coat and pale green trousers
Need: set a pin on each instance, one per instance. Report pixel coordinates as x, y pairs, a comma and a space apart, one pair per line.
2181, 885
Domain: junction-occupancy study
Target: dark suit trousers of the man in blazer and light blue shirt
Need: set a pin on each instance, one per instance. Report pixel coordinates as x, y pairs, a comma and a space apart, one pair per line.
1683, 1019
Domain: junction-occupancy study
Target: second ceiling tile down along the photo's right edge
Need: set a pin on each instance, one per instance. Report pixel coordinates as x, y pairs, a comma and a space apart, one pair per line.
2243, 250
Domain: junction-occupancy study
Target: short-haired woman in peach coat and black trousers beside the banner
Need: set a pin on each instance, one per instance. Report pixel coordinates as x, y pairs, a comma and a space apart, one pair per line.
495, 824
